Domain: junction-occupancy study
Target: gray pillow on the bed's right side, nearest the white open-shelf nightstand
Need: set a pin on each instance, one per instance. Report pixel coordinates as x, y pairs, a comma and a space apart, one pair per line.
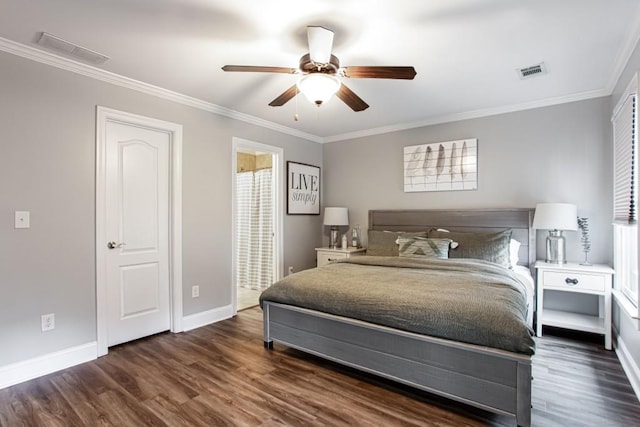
492, 247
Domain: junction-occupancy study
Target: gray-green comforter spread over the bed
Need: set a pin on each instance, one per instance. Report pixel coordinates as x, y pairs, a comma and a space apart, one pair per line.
465, 300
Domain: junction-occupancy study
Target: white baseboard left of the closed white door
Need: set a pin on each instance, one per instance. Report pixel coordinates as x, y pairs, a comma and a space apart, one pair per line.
25, 370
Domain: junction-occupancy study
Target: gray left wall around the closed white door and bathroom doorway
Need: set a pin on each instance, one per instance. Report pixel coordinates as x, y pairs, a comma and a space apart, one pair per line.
47, 166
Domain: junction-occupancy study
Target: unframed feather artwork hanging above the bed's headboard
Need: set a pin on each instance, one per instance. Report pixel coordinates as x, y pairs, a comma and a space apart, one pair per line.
441, 166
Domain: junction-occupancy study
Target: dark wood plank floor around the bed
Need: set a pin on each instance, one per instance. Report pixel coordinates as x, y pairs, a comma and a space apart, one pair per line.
221, 375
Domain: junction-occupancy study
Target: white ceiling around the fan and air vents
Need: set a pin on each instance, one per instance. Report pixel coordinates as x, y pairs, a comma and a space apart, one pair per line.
465, 52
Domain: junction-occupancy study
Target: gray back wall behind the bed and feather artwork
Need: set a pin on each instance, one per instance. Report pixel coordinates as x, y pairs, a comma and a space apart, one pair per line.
553, 154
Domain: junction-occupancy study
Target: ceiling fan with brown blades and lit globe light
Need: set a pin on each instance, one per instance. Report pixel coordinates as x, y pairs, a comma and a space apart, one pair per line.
320, 69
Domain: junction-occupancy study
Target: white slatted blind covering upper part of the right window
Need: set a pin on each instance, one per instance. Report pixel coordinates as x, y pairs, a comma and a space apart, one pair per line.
624, 162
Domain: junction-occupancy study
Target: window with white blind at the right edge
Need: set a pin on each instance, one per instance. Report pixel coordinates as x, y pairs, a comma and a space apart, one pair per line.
625, 197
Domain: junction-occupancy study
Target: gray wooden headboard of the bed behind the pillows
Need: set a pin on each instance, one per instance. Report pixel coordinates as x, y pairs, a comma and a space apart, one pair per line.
478, 220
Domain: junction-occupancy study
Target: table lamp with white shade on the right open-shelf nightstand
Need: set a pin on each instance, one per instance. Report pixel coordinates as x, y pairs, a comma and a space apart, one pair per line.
556, 217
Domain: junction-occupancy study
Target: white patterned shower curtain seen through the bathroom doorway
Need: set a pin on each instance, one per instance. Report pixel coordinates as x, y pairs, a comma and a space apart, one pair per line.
255, 229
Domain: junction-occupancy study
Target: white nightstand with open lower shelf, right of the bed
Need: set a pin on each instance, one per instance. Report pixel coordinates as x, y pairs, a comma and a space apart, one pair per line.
584, 279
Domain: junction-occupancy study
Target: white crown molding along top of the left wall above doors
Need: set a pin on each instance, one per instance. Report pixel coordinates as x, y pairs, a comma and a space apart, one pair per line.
57, 61
